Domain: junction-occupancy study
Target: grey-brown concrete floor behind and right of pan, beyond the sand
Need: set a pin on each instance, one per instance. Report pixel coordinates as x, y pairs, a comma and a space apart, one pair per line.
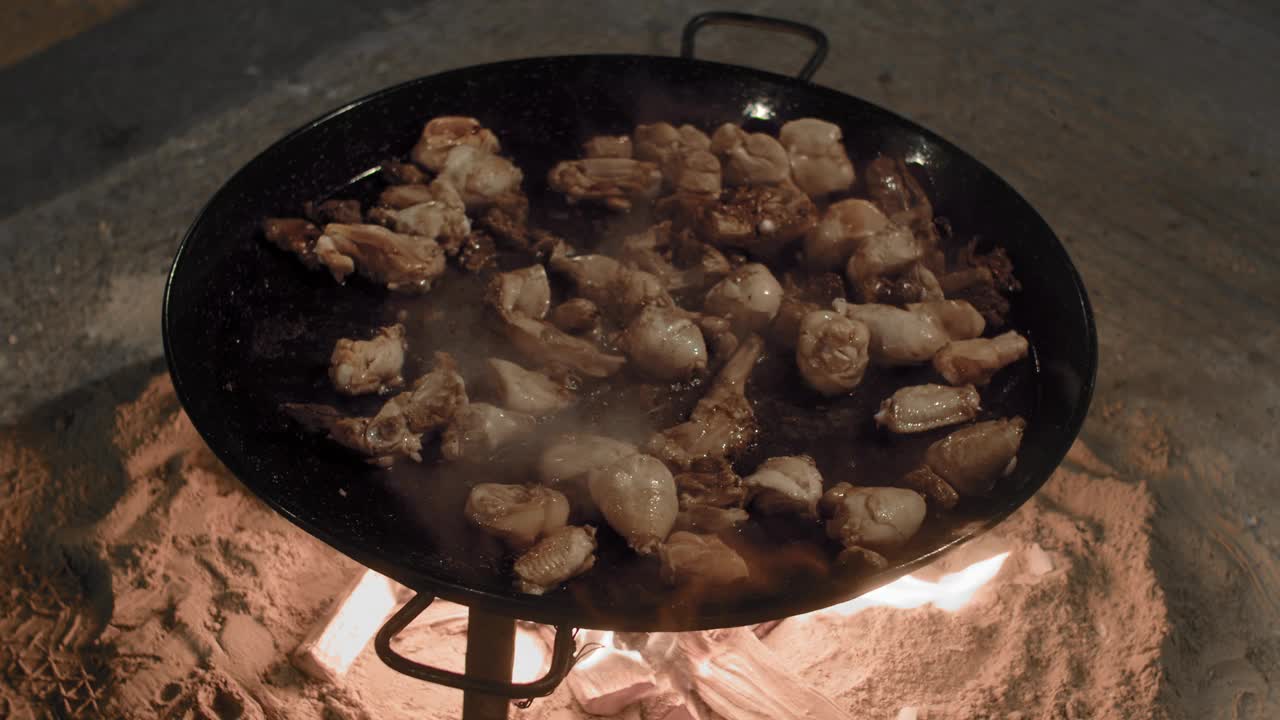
1148, 134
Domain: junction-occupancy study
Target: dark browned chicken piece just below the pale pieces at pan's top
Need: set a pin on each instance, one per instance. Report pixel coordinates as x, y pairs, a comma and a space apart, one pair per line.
761, 221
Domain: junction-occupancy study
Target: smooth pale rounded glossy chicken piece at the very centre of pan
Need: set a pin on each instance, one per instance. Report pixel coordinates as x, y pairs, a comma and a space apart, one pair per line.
665, 344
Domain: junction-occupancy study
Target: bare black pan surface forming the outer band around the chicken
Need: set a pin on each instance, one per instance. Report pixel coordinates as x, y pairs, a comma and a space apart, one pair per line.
248, 329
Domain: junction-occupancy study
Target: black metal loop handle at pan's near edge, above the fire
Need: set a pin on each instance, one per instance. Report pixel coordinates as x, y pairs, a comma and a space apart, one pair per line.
563, 659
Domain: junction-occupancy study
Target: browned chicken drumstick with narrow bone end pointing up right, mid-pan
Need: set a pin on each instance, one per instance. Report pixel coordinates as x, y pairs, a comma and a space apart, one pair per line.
723, 423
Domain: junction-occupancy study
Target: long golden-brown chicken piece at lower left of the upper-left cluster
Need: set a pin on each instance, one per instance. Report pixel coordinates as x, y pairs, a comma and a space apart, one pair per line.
404, 263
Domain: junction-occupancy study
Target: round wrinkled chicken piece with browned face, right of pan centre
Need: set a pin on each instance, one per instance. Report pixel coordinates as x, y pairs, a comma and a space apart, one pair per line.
833, 352
